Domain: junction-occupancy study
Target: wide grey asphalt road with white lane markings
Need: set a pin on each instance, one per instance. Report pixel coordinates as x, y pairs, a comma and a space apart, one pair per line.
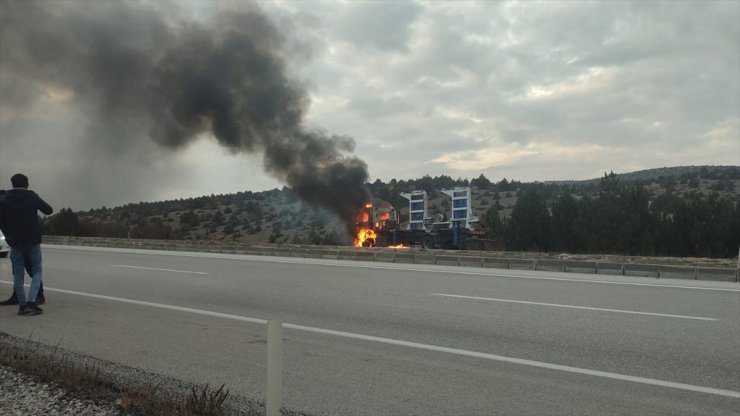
392, 339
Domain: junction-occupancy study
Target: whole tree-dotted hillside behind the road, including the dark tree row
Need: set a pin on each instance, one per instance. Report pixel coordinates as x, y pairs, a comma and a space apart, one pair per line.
678, 211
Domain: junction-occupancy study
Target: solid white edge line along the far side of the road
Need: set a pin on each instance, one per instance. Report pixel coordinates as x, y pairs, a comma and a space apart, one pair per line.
359, 265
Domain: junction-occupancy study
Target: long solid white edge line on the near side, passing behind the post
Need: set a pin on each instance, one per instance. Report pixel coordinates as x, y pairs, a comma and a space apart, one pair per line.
427, 347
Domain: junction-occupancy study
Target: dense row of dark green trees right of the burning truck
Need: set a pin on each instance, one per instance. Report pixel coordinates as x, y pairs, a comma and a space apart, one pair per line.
620, 219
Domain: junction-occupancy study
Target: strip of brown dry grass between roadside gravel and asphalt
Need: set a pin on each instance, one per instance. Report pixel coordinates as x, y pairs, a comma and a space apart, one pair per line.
86, 380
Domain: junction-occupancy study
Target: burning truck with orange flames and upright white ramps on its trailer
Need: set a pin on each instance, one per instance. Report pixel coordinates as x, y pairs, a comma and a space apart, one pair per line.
378, 224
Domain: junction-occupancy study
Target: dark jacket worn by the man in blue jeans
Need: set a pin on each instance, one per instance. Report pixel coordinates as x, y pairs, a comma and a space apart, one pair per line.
19, 219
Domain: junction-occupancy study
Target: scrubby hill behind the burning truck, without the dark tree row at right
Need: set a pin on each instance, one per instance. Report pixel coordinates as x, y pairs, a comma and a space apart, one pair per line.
278, 216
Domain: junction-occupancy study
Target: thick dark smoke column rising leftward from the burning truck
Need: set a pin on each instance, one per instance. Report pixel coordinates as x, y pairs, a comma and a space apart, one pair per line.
137, 70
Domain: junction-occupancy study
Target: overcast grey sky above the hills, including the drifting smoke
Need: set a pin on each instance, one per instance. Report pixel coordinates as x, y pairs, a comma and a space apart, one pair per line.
532, 91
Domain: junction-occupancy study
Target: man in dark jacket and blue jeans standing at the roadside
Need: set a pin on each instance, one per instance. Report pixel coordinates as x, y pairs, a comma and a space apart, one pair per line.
19, 222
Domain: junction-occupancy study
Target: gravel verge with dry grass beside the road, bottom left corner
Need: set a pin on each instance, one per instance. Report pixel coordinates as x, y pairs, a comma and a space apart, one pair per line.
24, 393
